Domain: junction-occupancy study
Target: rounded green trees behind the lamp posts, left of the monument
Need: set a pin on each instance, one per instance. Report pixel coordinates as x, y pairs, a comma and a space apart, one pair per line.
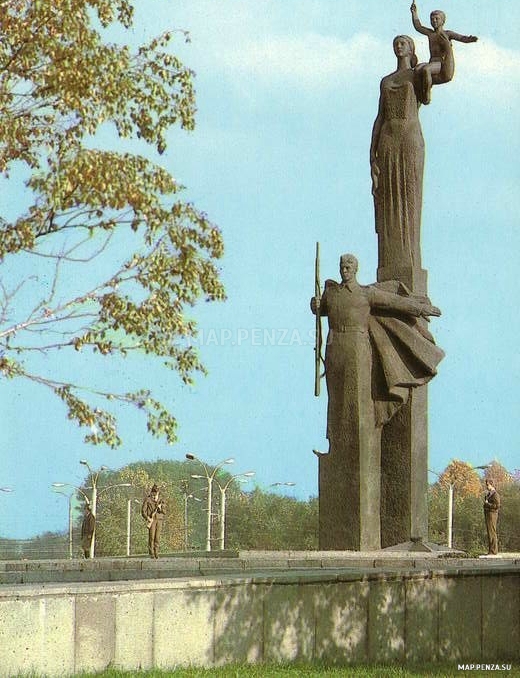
254, 520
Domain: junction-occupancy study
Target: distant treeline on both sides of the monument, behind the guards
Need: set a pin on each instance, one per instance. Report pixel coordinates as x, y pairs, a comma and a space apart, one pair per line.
257, 518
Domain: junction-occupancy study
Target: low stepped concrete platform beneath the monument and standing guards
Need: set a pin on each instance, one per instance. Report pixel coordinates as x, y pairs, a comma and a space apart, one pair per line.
239, 564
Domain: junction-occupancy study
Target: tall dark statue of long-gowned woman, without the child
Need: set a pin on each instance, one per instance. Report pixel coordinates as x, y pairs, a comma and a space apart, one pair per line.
397, 161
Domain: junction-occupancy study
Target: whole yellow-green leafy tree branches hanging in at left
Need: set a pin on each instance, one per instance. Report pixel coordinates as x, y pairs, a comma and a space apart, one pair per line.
63, 83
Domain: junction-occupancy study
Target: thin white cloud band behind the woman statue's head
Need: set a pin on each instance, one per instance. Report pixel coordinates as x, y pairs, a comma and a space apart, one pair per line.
315, 61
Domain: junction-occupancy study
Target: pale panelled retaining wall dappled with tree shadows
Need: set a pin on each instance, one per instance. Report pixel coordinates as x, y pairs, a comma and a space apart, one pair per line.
339, 615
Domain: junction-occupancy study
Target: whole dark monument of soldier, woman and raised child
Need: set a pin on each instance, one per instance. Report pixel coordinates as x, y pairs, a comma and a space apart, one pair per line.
379, 354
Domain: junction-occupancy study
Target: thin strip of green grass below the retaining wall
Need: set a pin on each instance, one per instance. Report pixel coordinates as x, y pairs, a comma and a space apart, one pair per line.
304, 670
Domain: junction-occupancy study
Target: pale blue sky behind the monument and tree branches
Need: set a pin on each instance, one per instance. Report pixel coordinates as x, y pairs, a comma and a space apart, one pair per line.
287, 95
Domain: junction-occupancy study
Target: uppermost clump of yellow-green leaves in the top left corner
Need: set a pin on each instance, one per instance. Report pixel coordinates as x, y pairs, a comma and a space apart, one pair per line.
60, 79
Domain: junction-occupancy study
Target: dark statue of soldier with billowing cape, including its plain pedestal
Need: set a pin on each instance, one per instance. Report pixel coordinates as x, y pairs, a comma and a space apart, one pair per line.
376, 351
